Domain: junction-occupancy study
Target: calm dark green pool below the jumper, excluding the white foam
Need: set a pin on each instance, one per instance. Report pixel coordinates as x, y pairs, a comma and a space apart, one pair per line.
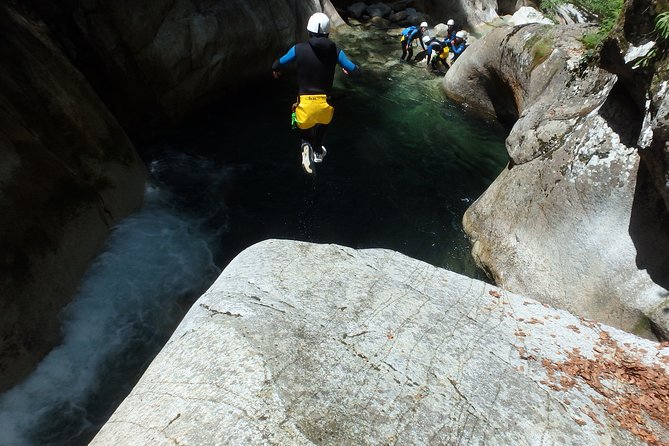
403, 162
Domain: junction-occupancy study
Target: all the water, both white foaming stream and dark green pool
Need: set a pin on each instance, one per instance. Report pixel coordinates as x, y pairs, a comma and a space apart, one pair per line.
403, 165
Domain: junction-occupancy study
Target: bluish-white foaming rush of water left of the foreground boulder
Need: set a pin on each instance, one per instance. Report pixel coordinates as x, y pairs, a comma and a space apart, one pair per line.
152, 259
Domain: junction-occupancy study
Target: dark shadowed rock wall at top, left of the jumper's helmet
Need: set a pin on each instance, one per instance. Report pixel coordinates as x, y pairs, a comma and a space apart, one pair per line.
156, 62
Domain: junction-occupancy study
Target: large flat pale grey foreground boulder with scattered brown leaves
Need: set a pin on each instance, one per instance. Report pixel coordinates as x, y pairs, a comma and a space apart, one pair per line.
300, 343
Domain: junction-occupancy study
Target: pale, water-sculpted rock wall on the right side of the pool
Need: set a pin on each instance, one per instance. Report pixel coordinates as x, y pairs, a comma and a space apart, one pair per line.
577, 220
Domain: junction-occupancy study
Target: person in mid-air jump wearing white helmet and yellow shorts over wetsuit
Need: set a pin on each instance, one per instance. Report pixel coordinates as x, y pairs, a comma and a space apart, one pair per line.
316, 60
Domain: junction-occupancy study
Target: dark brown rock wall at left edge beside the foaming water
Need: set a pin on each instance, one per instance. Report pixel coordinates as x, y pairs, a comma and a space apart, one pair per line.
67, 173
